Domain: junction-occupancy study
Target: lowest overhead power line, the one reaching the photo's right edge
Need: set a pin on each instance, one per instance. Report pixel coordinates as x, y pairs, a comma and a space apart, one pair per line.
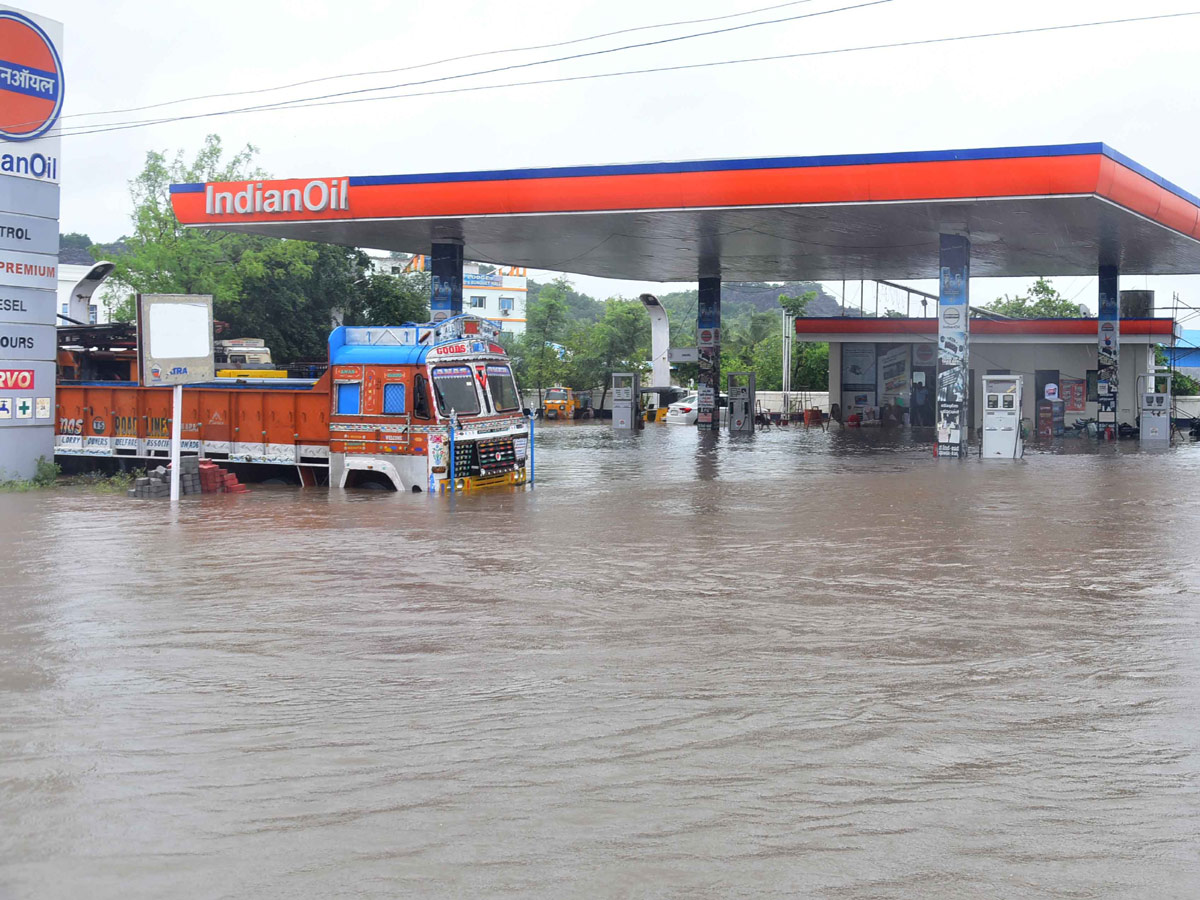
920, 43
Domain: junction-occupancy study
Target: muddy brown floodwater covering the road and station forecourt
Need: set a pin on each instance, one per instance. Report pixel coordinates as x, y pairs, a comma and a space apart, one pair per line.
785, 665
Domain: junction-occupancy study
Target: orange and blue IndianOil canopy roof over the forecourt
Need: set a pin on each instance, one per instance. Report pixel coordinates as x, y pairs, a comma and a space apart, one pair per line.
1033, 211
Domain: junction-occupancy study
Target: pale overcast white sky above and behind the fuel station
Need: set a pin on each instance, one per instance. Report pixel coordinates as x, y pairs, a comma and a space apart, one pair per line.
1130, 86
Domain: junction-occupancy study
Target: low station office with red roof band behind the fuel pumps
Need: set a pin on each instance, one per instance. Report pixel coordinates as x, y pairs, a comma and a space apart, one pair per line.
874, 362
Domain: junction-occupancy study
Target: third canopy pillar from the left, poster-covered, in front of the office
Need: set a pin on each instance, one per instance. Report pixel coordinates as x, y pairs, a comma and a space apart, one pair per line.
953, 331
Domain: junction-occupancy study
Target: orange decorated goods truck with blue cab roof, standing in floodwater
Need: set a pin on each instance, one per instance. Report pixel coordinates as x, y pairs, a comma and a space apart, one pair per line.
429, 407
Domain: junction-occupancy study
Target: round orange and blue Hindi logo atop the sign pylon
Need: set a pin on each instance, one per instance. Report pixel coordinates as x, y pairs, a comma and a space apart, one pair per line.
31, 80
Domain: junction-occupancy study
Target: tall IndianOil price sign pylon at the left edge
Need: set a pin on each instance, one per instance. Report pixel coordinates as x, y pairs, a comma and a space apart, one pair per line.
32, 92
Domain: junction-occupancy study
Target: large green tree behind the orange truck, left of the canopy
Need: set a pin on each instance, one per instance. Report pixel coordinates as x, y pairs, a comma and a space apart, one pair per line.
283, 291
